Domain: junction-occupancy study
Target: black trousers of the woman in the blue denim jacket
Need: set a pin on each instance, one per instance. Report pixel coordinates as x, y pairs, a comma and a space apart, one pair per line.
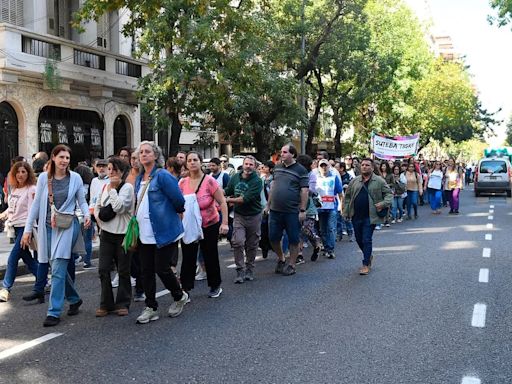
158, 260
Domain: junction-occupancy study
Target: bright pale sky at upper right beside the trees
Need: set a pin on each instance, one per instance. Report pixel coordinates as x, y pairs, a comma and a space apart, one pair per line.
486, 49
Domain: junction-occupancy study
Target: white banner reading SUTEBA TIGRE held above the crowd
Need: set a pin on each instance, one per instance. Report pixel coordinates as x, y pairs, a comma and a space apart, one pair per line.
394, 148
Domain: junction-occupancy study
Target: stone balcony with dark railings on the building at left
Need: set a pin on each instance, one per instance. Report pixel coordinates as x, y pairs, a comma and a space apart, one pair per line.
24, 54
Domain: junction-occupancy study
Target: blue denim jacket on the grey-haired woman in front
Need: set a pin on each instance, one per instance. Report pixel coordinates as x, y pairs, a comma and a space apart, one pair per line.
165, 202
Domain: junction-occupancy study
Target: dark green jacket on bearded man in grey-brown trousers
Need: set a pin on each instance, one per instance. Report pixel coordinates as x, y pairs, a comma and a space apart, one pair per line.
250, 189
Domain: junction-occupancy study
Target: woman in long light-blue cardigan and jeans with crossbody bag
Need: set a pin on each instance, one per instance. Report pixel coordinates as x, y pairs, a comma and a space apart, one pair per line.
67, 191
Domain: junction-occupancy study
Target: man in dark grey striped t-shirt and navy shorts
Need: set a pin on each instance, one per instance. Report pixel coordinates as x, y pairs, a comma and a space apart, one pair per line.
287, 205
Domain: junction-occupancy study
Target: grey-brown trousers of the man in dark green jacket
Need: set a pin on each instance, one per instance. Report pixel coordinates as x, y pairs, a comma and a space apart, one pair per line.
246, 236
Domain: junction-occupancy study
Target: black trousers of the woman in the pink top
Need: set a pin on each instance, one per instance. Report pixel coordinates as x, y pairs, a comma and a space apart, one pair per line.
211, 259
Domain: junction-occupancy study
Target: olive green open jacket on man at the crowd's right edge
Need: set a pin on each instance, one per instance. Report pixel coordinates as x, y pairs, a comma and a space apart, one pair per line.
379, 191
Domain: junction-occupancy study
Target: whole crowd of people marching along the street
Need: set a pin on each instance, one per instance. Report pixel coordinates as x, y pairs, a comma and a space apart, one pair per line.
53, 214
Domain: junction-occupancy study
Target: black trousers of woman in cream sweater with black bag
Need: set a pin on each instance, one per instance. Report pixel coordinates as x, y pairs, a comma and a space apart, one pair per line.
111, 249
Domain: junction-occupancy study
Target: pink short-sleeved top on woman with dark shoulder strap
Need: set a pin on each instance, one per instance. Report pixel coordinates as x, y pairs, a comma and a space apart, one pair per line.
207, 206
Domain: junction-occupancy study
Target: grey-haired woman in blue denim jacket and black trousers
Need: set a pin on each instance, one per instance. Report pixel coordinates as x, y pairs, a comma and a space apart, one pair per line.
159, 204
